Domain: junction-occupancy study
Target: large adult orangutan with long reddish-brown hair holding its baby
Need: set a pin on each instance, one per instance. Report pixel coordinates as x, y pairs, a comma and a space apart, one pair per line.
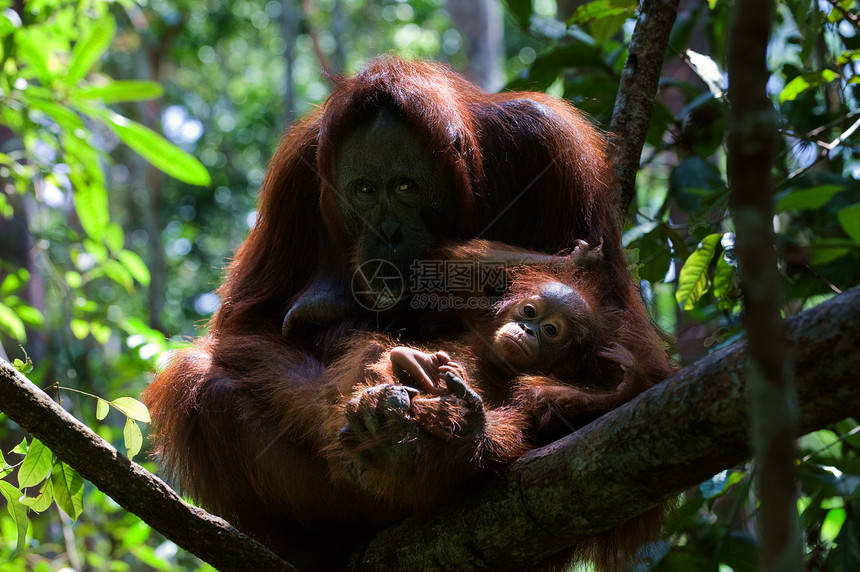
401, 158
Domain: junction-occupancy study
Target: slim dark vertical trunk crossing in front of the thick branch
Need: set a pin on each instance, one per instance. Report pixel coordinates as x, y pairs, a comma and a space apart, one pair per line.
752, 147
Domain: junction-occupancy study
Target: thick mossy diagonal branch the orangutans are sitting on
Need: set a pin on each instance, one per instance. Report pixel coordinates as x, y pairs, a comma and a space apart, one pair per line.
668, 439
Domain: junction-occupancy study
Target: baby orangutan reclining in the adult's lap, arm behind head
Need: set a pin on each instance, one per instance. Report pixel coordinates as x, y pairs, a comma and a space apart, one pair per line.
548, 349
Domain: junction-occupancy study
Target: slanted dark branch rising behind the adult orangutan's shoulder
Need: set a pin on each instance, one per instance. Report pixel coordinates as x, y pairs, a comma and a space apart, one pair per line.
634, 104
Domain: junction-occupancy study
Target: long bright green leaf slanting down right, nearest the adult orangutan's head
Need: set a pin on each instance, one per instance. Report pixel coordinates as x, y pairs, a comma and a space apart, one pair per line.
157, 150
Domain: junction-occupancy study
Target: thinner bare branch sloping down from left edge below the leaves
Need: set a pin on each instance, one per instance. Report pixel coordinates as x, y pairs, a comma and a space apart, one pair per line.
133, 487
